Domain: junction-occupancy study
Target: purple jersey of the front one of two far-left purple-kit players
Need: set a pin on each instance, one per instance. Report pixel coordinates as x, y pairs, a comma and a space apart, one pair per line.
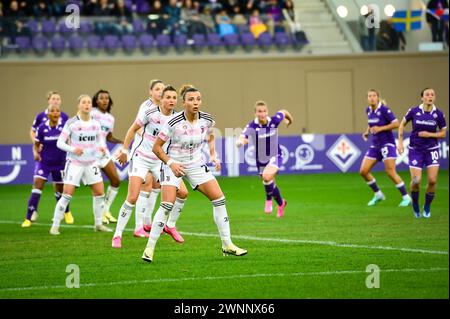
51, 155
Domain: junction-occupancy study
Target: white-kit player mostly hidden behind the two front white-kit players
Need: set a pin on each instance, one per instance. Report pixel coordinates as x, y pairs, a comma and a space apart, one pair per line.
150, 189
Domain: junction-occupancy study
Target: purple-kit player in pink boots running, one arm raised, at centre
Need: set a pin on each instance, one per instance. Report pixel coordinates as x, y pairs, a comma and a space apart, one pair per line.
263, 131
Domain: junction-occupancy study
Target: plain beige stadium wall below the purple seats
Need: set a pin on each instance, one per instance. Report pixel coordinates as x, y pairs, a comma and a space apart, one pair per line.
324, 94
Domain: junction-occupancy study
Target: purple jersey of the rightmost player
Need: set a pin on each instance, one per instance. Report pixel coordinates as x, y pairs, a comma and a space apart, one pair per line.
424, 121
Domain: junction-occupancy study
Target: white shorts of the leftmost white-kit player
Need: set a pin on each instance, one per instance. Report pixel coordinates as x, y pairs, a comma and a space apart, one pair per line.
89, 174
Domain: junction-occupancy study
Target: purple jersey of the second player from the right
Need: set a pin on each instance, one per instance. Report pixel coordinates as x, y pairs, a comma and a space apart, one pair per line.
380, 117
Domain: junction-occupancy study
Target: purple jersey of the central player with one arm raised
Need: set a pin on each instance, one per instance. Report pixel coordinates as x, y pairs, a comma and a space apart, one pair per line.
265, 138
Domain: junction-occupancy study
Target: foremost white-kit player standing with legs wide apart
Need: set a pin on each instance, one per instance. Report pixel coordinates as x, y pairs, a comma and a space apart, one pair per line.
187, 131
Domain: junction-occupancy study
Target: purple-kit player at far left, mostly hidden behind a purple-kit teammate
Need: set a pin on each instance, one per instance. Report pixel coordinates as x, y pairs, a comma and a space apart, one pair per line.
53, 99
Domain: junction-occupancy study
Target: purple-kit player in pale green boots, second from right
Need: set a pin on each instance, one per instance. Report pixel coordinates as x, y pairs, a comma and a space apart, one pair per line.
381, 123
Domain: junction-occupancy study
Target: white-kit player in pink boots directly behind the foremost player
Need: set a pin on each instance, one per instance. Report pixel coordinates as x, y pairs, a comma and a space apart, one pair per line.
143, 161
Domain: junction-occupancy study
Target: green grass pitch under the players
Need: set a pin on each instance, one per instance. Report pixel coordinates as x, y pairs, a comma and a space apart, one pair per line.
320, 249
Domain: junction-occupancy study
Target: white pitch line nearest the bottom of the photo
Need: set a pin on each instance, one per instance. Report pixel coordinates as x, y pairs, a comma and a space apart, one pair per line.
243, 276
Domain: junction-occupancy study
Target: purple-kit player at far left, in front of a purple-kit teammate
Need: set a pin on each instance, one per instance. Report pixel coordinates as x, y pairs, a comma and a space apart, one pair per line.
50, 160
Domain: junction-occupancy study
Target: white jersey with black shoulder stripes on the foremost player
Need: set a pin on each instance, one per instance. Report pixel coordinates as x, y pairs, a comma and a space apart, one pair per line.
187, 139
